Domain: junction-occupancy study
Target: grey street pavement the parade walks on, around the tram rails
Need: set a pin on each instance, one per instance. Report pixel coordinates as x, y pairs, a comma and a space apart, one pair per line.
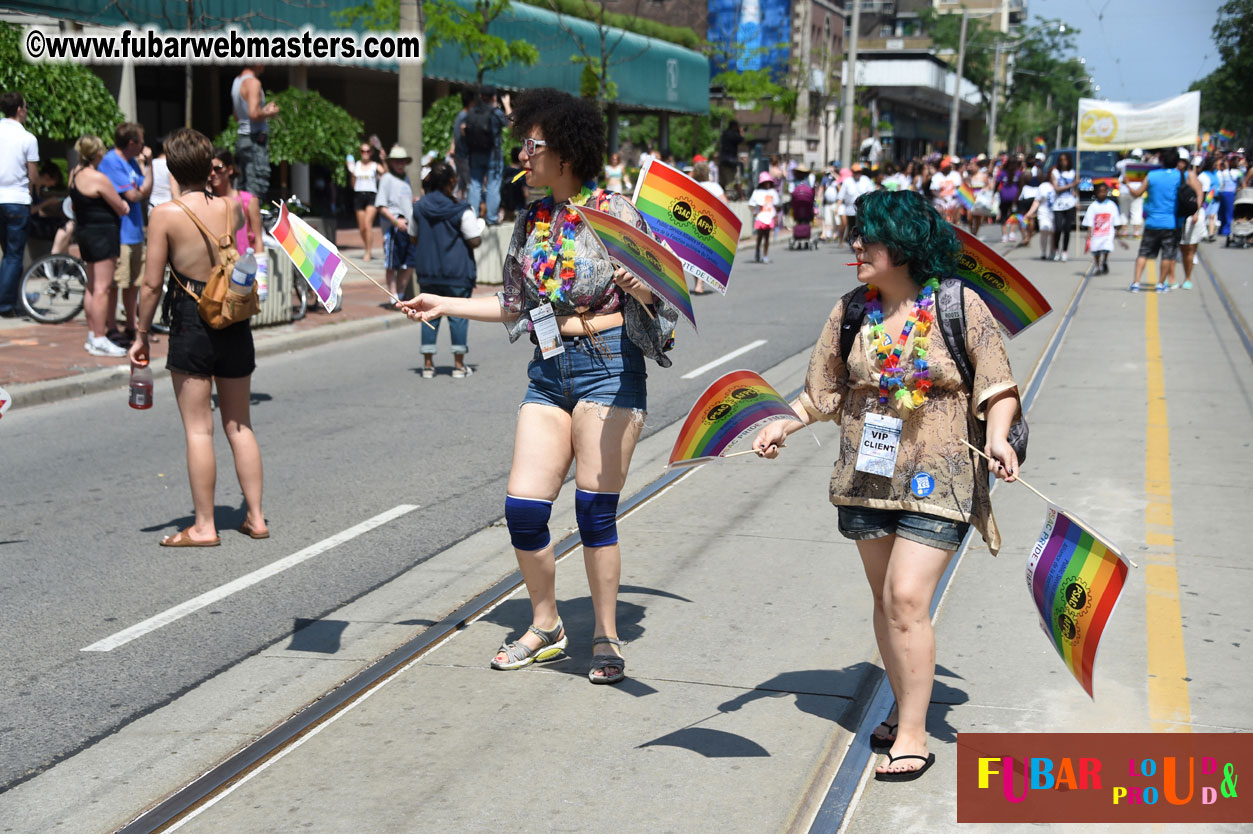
750, 654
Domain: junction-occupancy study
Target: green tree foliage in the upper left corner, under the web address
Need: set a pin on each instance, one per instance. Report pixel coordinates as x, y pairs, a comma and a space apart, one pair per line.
67, 101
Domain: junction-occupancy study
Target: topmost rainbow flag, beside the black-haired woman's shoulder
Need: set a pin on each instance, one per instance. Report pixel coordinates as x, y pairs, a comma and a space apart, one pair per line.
700, 227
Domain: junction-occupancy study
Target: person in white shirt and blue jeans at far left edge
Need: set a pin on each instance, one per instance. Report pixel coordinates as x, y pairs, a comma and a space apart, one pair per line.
19, 171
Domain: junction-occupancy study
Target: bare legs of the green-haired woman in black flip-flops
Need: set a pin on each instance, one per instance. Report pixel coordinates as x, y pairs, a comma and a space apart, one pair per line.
908, 647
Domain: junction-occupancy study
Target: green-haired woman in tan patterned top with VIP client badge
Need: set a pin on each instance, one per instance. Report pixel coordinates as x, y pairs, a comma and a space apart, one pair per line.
907, 485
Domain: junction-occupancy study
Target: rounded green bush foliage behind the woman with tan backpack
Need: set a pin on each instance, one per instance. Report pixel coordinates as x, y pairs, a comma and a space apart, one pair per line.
308, 130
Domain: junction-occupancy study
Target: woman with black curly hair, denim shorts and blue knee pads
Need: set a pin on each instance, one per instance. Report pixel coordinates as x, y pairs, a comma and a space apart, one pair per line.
593, 325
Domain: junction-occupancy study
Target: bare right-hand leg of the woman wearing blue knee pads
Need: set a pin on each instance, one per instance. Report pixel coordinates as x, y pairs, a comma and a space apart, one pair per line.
605, 441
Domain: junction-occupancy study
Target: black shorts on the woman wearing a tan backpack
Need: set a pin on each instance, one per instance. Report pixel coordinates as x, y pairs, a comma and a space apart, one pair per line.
200, 351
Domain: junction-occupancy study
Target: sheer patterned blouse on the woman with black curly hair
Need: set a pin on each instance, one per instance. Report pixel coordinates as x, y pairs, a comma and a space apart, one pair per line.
593, 291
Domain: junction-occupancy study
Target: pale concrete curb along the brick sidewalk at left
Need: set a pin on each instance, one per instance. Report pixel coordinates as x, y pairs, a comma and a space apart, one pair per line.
46, 391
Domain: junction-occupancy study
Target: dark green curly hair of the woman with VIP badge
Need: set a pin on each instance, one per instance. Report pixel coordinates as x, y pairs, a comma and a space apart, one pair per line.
913, 232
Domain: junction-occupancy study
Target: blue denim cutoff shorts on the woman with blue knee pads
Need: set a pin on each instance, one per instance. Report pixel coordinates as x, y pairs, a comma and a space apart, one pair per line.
583, 374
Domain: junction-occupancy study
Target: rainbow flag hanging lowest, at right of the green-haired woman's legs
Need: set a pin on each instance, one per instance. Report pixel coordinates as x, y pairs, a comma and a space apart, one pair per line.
1076, 579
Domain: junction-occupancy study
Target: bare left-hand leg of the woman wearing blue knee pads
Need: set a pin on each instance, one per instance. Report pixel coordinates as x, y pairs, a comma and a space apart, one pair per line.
543, 450
